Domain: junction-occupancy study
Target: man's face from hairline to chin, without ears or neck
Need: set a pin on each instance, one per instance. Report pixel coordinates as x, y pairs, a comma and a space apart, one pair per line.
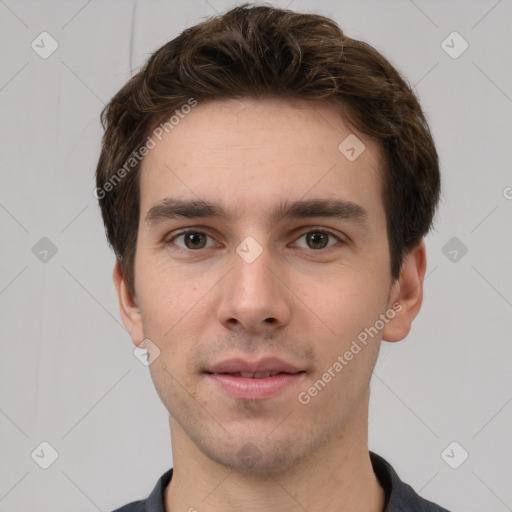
257, 291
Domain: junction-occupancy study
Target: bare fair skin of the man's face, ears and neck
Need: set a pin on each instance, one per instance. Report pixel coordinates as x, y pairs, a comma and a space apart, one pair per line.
200, 306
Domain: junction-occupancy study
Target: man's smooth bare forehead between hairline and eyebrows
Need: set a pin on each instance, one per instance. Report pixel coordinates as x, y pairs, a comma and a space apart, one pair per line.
250, 154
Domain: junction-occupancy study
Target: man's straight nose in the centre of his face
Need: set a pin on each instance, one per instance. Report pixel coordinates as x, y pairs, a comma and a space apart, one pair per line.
253, 296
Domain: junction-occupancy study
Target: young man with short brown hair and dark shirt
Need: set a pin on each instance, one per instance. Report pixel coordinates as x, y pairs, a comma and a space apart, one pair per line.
266, 183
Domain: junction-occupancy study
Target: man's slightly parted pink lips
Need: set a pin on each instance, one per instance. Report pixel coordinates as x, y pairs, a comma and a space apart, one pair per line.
253, 380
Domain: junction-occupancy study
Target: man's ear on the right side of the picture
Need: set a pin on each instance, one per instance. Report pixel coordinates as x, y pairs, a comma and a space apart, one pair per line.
406, 294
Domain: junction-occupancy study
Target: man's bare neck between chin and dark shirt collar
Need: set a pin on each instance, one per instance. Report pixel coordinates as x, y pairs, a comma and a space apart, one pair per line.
337, 477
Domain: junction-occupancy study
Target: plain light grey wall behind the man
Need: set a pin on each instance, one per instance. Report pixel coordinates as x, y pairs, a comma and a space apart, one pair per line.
68, 375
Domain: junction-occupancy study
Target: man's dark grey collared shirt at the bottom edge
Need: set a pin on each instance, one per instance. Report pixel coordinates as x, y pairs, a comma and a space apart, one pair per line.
400, 497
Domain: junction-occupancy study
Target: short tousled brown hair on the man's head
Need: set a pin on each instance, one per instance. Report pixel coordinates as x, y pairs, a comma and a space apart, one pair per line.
258, 52
